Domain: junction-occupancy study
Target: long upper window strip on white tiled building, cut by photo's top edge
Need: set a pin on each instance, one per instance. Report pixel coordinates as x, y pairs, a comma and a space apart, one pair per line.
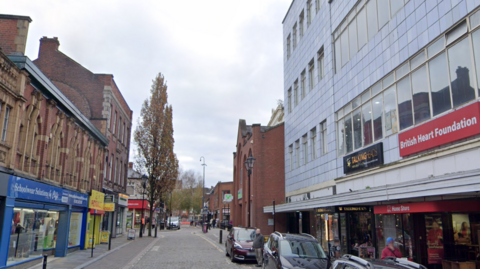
361, 25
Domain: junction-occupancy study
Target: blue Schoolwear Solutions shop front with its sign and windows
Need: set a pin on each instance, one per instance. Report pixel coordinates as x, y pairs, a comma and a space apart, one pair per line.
39, 219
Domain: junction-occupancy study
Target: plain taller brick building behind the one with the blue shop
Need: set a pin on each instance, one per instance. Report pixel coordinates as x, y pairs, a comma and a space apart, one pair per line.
100, 100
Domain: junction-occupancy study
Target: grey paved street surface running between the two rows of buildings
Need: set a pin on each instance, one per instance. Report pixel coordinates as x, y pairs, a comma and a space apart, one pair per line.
185, 248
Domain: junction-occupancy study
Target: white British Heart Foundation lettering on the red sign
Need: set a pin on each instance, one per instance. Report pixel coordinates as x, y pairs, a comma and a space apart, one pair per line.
454, 127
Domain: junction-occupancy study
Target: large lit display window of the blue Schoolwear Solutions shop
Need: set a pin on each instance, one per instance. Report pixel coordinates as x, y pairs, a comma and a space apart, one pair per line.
32, 232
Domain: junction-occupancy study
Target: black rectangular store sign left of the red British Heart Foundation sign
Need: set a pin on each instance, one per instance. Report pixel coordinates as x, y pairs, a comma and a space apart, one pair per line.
364, 159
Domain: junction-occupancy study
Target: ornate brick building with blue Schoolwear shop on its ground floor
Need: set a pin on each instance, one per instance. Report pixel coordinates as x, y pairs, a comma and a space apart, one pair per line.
51, 158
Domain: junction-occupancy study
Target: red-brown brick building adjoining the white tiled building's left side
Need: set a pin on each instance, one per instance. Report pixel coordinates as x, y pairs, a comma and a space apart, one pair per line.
267, 184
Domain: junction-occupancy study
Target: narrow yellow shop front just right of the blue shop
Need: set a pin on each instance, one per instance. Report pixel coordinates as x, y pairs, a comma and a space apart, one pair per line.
96, 211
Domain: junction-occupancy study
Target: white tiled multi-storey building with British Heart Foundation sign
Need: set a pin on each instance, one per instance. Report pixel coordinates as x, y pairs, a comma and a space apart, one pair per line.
362, 78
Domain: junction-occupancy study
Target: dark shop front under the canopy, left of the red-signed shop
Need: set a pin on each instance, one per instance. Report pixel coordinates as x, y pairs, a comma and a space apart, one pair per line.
346, 230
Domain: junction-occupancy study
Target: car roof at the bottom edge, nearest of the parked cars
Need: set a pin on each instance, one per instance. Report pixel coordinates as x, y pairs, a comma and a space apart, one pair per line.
354, 262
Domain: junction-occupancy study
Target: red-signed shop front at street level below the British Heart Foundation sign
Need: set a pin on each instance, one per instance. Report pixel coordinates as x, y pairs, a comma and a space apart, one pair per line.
432, 233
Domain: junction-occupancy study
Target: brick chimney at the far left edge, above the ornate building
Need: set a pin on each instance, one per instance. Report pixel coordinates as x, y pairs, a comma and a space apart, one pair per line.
13, 33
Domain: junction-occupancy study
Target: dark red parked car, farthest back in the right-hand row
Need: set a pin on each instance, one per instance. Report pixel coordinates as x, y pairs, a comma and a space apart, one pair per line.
239, 244
